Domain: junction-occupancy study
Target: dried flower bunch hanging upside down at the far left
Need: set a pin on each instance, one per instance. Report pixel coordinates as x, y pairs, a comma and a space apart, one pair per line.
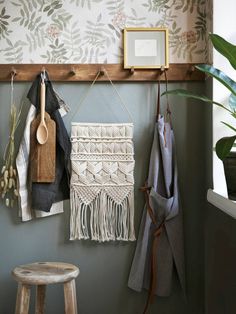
9, 178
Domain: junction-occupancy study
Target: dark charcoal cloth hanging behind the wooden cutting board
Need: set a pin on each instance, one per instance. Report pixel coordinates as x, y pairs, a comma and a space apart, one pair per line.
45, 194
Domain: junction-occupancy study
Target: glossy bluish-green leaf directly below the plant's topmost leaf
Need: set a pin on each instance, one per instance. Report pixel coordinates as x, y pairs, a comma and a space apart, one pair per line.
219, 75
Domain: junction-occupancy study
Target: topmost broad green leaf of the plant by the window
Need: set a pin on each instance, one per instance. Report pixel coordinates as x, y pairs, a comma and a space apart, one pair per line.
225, 48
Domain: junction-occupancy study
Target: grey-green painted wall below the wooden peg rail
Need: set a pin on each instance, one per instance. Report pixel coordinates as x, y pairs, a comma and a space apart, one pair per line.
102, 284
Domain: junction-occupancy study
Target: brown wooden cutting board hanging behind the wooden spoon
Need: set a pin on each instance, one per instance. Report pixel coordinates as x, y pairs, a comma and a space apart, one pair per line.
43, 157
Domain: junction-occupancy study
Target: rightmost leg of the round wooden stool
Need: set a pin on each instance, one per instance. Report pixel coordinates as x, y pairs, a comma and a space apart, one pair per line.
70, 297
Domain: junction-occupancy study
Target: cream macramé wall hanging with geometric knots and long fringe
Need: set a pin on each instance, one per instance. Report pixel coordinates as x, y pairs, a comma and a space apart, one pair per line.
102, 182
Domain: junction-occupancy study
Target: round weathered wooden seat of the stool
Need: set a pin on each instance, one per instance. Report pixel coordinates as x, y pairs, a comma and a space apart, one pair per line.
44, 273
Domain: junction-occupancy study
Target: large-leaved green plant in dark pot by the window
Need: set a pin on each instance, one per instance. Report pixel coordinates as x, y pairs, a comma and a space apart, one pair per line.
224, 145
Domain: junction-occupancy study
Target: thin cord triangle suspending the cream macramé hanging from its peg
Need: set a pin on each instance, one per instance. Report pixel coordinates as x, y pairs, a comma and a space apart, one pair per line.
89, 89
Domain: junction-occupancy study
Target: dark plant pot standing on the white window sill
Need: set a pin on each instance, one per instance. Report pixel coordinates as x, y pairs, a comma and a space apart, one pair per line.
230, 174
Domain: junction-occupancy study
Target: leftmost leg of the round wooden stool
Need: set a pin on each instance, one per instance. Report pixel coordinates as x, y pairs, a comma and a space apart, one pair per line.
22, 300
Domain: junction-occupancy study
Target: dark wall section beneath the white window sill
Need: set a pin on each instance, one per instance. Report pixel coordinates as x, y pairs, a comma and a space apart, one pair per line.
220, 262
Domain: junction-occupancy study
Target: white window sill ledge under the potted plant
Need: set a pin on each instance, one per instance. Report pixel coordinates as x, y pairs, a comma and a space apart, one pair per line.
221, 202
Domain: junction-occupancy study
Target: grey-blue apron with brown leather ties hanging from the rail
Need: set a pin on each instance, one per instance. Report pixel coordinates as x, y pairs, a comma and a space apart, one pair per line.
166, 233
